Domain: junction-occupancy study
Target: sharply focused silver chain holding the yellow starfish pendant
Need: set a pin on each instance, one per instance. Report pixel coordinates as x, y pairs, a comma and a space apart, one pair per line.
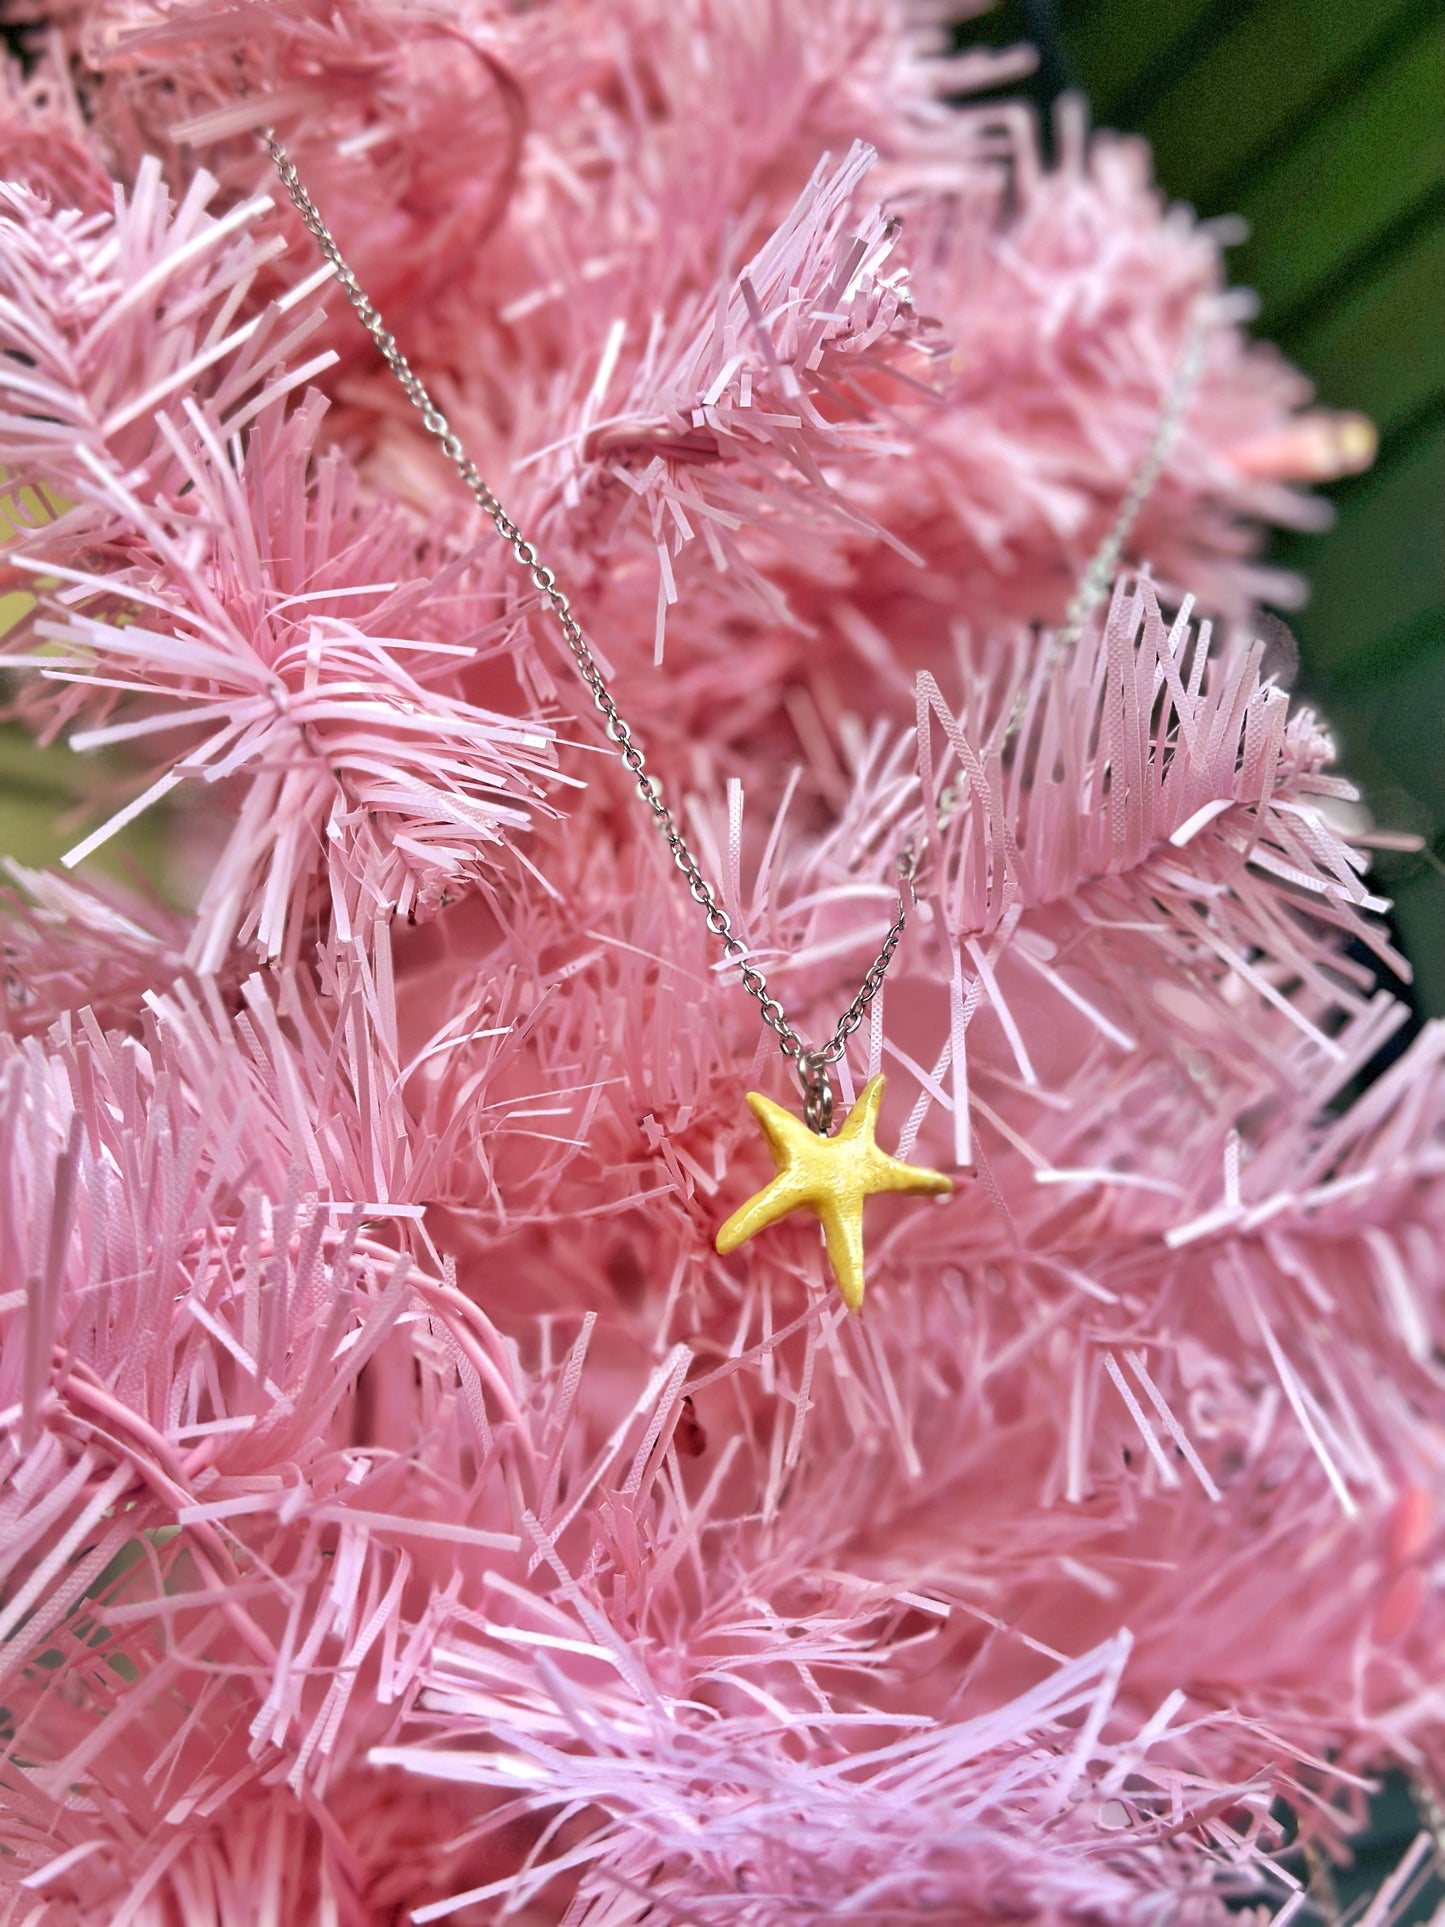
814, 1065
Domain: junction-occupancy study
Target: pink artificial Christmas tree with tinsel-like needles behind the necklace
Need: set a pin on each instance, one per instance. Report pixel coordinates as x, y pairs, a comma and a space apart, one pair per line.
407, 1514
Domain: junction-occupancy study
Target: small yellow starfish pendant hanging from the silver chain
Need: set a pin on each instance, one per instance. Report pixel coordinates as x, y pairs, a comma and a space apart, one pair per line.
829, 1176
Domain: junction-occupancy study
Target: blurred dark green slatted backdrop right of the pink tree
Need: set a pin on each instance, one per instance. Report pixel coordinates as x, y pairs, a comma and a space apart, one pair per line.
1323, 124
